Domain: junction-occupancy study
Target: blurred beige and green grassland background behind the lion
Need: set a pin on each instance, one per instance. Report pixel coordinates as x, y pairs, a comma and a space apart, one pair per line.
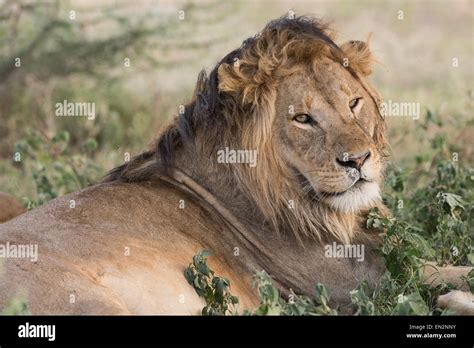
79, 51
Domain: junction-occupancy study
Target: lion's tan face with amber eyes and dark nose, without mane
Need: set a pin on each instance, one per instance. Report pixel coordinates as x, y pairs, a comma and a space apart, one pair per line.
325, 125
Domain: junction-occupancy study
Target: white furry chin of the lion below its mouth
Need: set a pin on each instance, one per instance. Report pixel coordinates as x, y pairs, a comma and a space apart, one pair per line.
359, 197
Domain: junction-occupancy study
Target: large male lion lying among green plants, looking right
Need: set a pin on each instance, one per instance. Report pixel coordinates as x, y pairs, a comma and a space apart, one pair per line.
297, 101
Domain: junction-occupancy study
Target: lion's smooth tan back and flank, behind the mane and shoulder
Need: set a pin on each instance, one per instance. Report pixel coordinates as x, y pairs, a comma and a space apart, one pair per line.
111, 248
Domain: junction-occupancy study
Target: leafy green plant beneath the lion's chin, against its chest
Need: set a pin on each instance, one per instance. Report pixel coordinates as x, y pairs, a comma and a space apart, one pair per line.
401, 291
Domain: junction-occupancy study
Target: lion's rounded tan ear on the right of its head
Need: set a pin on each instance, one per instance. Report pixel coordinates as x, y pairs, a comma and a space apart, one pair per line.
358, 56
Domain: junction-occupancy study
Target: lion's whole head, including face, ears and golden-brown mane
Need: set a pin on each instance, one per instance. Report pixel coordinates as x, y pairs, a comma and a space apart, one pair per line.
303, 103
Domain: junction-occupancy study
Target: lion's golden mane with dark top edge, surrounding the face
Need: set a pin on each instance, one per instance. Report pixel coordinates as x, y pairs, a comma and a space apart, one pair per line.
234, 106
